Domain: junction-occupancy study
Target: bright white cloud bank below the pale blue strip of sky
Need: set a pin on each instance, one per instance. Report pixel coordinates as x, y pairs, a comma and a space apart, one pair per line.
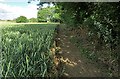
11, 12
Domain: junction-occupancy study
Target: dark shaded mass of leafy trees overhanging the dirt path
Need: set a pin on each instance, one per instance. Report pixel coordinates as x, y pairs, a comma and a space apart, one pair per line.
100, 18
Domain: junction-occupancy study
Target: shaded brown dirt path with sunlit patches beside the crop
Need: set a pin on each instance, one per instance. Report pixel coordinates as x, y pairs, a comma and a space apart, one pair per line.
74, 64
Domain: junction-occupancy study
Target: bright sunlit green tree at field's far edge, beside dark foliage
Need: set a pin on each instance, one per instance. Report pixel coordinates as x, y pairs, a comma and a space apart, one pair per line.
48, 15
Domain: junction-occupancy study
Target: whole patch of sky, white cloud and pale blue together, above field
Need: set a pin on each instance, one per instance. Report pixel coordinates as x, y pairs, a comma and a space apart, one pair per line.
10, 9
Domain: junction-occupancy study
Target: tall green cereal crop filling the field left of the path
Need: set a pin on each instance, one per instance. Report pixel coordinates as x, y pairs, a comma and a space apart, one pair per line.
26, 50
